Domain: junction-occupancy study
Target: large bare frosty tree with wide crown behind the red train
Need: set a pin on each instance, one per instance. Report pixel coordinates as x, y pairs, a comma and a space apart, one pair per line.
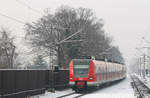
52, 28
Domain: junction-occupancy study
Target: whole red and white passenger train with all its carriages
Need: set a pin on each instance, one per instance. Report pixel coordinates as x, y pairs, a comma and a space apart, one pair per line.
85, 74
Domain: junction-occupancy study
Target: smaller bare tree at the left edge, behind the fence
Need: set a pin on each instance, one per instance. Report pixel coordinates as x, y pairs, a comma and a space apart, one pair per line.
7, 50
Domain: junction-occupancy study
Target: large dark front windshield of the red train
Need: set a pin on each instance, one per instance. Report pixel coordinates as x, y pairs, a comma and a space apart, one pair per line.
81, 67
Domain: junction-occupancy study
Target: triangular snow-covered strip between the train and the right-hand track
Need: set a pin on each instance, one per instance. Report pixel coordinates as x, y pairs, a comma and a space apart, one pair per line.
122, 89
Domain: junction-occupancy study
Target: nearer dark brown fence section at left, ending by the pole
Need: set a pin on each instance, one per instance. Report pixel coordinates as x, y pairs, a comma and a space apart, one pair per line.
21, 83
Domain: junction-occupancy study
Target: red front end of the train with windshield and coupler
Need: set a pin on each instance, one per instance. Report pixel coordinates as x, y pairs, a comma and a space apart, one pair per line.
81, 74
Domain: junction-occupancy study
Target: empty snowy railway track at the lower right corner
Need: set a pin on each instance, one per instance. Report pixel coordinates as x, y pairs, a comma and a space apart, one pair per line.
141, 89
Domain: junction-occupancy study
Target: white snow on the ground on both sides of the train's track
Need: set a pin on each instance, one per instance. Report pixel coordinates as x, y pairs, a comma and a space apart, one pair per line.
122, 89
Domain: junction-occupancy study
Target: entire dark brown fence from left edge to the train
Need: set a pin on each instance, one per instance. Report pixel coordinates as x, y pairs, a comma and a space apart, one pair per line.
23, 83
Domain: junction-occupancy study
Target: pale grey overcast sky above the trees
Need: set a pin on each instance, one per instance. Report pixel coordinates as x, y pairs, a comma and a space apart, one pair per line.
126, 20
